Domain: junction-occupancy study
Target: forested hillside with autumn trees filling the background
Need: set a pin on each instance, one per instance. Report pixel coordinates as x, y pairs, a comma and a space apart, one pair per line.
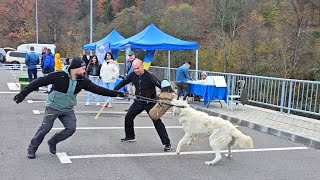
279, 38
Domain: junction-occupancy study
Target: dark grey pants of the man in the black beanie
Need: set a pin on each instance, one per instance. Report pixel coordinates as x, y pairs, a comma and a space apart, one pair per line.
68, 120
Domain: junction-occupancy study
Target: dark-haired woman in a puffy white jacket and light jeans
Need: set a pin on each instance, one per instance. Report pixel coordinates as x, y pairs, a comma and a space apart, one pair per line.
109, 73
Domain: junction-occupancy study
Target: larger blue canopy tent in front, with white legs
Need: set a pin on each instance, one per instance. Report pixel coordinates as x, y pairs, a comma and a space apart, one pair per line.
151, 39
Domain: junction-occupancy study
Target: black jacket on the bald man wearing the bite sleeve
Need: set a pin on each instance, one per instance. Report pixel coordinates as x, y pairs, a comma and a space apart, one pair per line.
145, 84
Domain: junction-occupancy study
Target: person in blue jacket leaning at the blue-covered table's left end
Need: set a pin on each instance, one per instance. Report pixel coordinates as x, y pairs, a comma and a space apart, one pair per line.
182, 76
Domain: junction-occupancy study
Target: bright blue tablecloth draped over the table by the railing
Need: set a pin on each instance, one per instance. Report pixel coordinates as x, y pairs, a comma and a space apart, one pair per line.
209, 92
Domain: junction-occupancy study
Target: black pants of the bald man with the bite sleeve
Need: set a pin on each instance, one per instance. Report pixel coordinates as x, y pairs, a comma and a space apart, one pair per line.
136, 108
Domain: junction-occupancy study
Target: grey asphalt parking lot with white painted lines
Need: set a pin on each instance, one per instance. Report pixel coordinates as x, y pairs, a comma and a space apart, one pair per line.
96, 152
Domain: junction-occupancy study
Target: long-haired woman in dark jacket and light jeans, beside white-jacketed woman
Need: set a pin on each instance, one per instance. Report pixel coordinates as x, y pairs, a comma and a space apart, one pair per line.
93, 71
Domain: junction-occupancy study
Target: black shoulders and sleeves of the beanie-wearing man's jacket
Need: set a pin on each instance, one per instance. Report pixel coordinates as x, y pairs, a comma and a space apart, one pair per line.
60, 82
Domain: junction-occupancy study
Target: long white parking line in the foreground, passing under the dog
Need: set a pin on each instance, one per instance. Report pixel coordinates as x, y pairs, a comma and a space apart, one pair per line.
64, 158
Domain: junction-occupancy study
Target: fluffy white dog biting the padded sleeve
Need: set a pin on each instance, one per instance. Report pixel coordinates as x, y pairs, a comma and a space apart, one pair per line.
222, 133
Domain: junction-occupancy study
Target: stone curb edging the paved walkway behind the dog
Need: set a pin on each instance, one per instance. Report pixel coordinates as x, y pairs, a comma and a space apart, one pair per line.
282, 134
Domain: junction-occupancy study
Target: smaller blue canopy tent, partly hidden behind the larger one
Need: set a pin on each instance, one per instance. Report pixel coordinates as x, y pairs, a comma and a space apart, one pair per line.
112, 37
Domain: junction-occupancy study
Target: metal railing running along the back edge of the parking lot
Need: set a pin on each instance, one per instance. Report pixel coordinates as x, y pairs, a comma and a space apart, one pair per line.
285, 94
